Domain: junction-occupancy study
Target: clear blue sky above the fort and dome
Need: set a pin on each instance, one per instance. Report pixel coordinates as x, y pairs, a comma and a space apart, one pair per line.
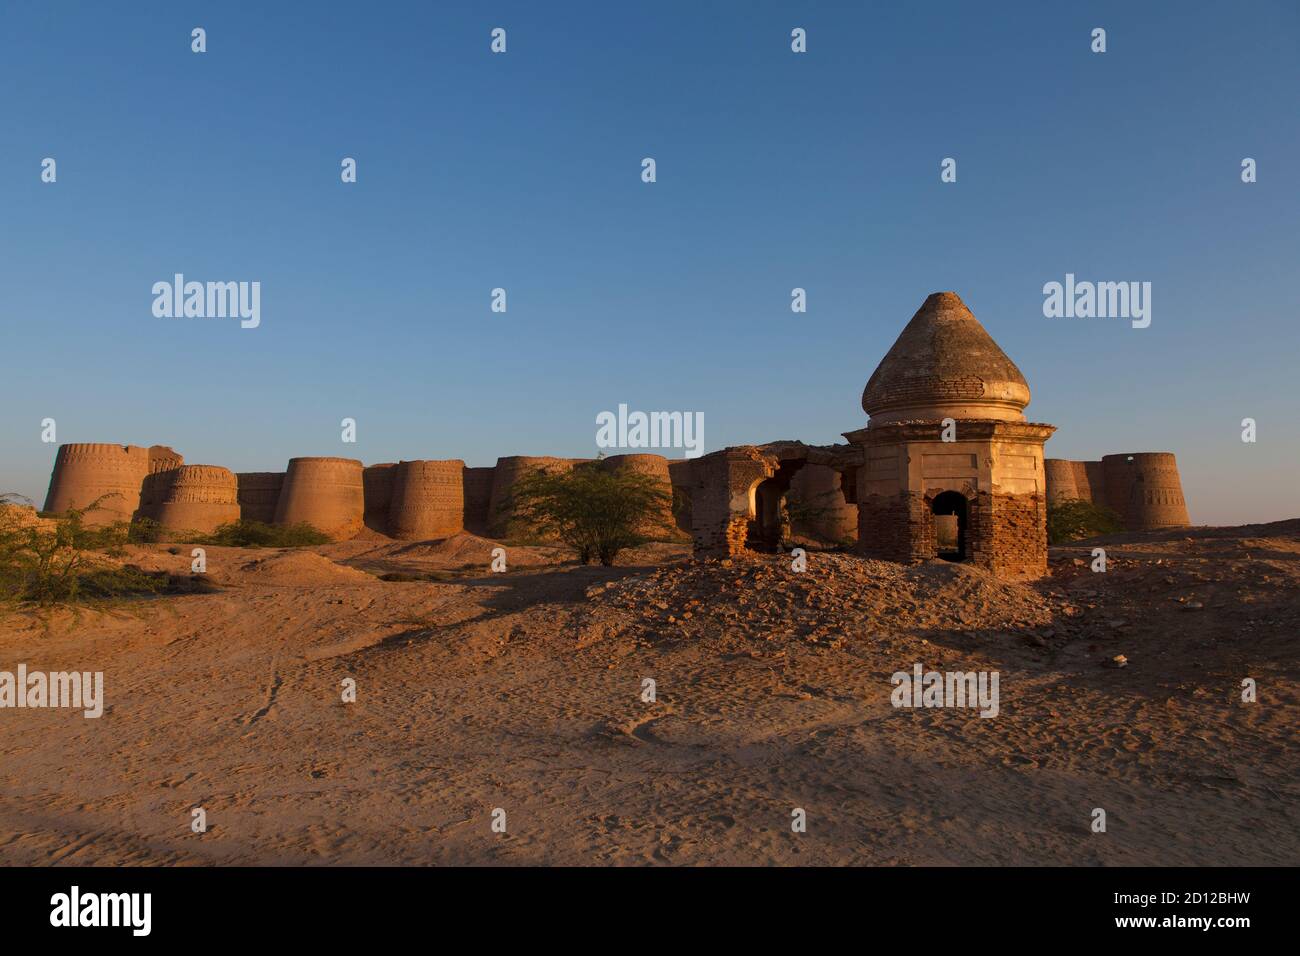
523, 171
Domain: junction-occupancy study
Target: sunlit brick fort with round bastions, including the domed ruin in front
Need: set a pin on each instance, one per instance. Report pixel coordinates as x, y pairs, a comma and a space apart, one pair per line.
948, 465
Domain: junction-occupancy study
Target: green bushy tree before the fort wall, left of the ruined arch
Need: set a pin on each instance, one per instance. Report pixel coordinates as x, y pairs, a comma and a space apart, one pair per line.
596, 512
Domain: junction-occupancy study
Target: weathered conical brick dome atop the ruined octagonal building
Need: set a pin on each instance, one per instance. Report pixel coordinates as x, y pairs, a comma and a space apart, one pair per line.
946, 365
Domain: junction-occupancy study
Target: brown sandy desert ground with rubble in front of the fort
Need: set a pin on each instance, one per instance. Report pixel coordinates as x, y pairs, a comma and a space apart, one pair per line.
523, 691
